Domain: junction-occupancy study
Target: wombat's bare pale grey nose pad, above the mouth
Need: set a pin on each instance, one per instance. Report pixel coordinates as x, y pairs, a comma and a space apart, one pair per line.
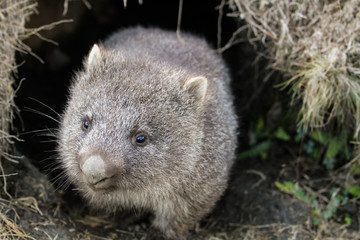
94, 167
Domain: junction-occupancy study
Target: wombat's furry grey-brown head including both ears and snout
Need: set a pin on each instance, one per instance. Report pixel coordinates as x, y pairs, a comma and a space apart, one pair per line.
131, 123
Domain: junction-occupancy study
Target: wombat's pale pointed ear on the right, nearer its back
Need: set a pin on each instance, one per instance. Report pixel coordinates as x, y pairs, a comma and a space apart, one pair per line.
196, 86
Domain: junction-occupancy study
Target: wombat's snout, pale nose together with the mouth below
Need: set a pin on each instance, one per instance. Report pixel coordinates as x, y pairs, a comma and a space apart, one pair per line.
97, 171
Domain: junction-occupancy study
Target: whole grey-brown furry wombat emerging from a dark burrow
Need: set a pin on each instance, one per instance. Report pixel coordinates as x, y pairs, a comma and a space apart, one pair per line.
150, 125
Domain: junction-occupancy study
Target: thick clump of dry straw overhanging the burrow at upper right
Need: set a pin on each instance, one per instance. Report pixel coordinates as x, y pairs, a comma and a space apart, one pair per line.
318, 44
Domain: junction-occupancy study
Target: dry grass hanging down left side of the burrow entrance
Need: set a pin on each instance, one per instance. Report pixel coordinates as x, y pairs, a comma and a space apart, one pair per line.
13, 14
